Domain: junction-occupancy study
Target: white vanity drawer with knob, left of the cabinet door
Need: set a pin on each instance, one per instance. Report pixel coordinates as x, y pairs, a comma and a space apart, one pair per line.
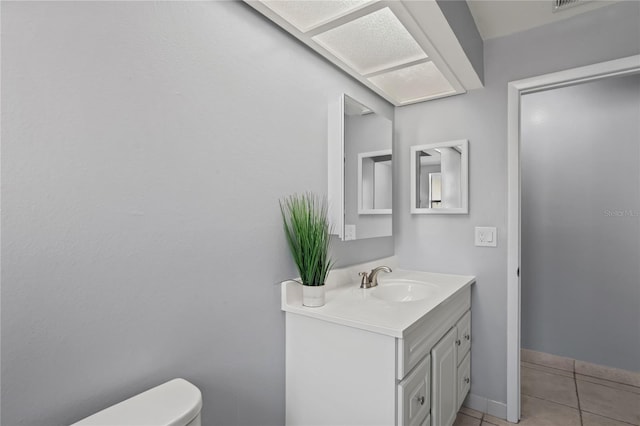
414, 398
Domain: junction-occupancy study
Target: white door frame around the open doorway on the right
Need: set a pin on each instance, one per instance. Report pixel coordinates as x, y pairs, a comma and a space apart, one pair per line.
618, 67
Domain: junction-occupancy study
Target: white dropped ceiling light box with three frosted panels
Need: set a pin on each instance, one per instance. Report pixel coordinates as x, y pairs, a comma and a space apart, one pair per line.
404, 50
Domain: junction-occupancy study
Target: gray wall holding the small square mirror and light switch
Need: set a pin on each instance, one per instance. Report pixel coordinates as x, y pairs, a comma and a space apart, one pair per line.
445, 243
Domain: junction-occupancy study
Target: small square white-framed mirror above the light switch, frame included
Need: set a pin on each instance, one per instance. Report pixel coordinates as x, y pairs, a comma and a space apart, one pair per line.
440, 178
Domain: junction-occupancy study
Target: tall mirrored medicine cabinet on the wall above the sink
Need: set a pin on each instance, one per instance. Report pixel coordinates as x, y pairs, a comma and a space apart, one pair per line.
360, 170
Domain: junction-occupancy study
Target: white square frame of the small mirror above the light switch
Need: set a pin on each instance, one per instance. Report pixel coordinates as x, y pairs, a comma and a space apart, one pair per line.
464, 178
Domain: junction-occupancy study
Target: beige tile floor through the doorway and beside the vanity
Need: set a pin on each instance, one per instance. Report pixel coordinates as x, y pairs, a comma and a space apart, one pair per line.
563, 393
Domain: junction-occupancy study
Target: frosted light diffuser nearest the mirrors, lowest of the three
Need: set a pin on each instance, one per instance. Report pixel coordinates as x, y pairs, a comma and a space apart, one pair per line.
414, 83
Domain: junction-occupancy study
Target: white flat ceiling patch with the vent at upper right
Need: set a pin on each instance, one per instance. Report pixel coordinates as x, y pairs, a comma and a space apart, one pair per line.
497, 18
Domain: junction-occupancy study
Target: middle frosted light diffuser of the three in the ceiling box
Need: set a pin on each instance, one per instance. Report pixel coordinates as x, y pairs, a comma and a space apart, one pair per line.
372, 43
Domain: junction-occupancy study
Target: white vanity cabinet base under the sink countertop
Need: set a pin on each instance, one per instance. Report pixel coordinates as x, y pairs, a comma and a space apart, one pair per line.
342, 375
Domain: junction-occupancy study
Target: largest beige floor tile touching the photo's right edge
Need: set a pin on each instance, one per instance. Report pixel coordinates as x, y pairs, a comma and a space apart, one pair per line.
609, 402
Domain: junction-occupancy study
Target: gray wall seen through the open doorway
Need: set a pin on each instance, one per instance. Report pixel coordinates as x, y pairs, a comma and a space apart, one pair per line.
581, 222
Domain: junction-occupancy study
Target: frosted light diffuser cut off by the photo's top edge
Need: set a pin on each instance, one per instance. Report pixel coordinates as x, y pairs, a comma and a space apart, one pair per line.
306, 15
